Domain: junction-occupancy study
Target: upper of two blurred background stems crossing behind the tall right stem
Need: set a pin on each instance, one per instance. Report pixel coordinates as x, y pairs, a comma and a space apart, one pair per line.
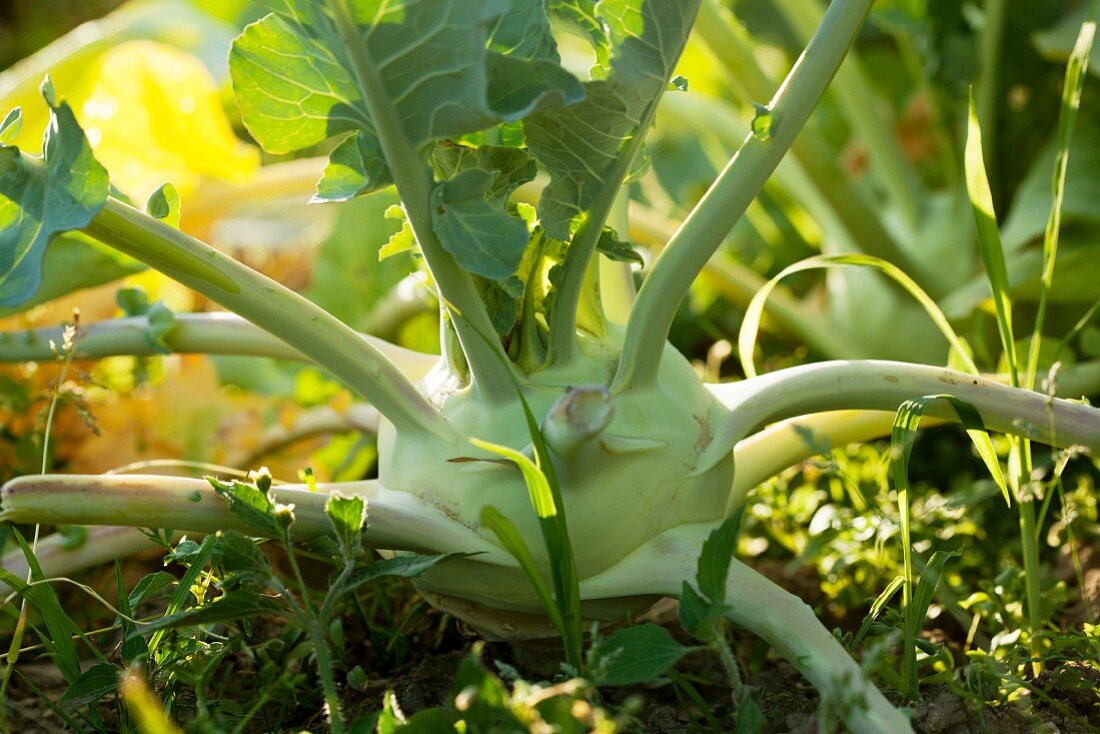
867, 115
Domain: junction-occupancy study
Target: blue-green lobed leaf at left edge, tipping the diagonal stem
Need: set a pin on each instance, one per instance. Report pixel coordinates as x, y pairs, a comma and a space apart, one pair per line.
61, 192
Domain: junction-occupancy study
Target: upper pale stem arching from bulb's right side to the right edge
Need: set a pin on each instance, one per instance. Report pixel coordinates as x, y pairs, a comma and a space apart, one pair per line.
878, 386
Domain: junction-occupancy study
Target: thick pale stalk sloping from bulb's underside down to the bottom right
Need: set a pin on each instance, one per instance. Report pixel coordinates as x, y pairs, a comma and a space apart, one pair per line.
757, 605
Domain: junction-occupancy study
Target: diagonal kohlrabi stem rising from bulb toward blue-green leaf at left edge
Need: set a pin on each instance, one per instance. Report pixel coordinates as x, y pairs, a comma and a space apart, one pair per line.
273, 308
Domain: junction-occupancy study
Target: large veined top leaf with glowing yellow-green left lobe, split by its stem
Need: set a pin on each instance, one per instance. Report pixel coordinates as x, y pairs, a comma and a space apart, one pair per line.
298, 86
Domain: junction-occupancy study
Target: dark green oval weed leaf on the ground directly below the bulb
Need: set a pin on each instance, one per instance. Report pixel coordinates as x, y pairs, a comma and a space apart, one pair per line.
637, 654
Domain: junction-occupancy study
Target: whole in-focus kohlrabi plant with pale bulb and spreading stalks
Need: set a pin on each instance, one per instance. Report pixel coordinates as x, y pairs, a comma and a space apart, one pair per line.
549, 358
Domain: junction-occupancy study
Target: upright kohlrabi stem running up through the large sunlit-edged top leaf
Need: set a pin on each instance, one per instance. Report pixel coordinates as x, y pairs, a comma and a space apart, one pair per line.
489, 365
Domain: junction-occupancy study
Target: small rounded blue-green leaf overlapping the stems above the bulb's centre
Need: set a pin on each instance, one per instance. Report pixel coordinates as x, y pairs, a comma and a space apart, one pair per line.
483, 239
